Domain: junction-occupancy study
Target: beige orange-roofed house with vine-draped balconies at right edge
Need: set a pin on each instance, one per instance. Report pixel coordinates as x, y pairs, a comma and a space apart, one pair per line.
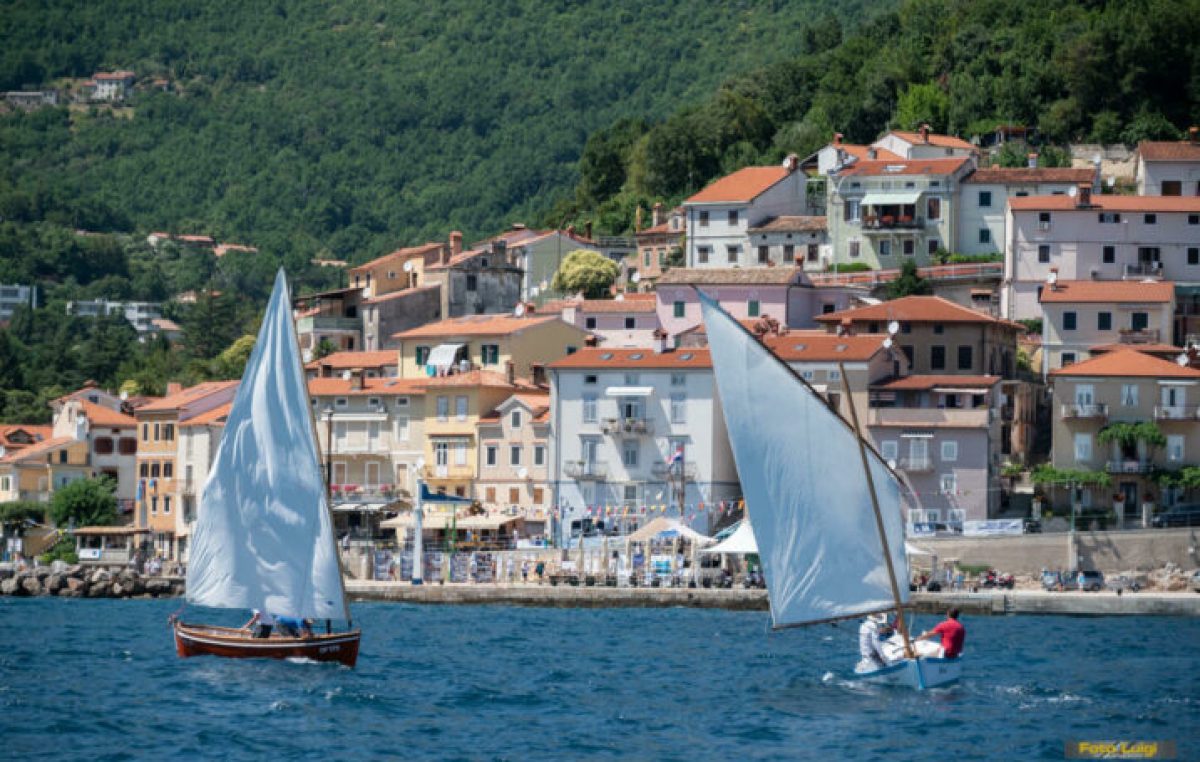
1125, 387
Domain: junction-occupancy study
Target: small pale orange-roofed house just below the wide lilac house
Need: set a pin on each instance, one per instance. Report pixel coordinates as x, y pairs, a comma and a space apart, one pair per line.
1081, 315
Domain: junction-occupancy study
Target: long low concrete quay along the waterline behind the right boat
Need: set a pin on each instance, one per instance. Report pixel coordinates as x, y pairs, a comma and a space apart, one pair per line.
569, 597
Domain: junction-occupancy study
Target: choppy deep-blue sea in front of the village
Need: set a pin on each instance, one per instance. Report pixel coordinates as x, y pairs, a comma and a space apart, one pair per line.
83, 680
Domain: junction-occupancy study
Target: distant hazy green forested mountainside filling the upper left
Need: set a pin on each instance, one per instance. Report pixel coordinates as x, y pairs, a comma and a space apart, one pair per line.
346, 129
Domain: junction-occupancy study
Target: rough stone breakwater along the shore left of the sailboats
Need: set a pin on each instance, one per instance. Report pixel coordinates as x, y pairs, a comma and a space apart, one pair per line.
83, 583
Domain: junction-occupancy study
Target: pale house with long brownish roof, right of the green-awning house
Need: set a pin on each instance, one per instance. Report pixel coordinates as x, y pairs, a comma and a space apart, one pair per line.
983, 202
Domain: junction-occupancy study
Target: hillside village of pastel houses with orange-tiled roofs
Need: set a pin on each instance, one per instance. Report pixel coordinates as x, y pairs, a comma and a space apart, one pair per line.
1051, 374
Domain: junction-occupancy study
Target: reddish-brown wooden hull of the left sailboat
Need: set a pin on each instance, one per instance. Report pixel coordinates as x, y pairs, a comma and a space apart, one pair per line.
199, 640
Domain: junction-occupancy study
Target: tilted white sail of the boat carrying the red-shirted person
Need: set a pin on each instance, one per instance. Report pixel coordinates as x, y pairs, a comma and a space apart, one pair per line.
805, 488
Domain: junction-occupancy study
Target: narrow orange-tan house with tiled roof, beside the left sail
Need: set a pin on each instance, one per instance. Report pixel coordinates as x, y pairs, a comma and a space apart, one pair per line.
159, 489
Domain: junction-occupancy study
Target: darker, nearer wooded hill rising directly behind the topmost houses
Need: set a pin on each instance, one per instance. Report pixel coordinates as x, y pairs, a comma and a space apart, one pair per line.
1087, 71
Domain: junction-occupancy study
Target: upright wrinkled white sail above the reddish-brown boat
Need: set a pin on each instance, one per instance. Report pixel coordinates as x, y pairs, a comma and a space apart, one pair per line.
265, 537
